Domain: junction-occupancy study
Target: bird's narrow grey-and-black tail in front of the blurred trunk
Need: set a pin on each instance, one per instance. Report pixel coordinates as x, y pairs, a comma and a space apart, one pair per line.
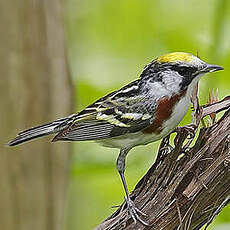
42, 130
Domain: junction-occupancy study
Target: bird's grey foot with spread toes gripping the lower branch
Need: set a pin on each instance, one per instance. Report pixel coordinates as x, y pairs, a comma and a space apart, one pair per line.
134, 212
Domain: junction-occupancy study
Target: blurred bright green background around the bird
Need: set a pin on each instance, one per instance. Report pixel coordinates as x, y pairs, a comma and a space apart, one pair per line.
109, 43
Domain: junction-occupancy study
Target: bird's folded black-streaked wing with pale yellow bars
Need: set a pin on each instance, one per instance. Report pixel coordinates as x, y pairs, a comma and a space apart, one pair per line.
124, 111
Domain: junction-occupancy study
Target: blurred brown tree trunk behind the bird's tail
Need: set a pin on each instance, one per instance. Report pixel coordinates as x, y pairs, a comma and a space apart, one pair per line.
35, 87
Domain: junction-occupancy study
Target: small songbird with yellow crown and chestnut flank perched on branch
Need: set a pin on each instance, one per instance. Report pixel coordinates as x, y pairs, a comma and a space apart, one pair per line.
139, 113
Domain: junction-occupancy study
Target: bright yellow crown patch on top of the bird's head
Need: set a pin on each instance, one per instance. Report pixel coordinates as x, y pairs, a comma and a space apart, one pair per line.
175, 57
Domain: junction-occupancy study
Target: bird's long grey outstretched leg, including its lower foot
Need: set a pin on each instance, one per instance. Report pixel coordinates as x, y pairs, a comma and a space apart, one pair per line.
133, 211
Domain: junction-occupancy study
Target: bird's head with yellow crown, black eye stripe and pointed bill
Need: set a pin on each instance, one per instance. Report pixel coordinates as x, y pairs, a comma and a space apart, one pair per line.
178, 67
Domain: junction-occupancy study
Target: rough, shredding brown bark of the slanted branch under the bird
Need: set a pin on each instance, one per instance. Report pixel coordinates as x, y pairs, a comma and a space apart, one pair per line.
188, 185
